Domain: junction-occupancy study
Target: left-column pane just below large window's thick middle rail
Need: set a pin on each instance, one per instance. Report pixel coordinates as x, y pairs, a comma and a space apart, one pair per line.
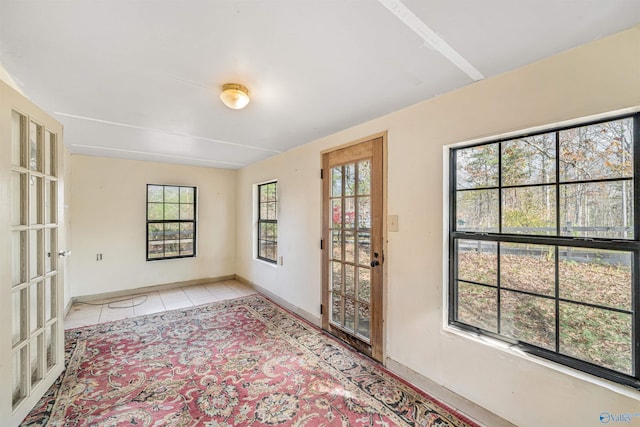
477, 261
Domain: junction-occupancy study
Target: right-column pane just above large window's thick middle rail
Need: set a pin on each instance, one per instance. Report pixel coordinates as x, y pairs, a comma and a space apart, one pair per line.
597, 209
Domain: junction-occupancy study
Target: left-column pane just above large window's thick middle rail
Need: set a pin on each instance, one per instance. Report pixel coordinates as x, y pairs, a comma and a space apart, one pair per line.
477, 210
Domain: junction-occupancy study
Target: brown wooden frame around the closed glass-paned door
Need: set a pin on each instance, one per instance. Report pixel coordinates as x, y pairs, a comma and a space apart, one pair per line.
378, 342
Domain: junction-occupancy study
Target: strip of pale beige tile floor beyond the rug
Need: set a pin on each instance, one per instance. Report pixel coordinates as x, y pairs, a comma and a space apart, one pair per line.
110, 309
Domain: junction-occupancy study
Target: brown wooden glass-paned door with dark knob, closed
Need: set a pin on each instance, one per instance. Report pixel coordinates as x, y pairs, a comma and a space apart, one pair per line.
352, 295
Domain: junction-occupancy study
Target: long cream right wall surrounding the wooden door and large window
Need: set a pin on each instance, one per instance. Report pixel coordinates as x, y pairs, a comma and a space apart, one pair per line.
596, 78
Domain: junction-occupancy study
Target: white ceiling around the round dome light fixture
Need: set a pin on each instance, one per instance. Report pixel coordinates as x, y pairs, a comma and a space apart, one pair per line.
141, 79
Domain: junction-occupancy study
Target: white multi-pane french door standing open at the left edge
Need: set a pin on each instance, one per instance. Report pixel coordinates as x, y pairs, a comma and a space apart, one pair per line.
31, 277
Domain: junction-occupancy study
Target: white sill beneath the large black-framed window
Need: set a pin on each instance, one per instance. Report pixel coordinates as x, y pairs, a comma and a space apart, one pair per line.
565, 370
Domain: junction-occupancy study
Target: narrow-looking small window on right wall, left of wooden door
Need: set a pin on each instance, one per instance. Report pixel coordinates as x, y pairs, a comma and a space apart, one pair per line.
268, 222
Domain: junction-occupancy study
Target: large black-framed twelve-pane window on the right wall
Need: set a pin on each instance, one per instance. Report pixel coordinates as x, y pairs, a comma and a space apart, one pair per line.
544, 244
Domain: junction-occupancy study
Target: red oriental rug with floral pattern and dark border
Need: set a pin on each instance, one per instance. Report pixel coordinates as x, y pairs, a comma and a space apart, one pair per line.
243, 362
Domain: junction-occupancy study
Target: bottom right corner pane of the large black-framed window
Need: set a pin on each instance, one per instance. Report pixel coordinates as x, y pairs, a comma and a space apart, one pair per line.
598, 336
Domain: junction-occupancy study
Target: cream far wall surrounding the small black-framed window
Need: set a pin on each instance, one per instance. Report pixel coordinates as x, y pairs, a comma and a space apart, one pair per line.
108, 213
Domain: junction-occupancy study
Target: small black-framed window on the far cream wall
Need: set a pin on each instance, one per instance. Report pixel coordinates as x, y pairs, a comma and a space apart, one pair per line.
171, 222
